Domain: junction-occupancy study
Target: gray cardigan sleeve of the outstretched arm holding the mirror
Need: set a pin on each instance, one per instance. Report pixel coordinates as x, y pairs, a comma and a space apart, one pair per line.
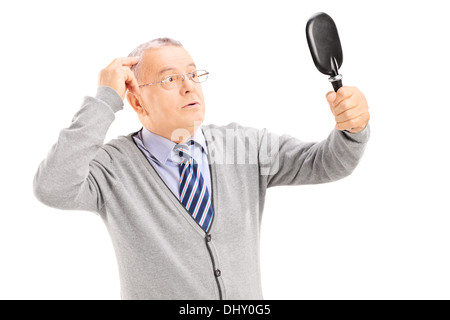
285, 160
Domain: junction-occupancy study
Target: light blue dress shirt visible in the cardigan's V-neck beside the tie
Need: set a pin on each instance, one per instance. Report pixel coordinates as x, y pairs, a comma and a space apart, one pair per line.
159, 151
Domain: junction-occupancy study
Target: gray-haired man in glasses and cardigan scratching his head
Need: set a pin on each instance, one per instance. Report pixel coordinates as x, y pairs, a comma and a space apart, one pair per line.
182, 208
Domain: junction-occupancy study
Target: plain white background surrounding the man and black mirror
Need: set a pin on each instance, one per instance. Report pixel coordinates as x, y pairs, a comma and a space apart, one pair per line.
381, 233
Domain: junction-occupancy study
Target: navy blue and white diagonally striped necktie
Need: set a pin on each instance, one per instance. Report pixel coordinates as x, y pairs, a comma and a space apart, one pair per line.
194, 193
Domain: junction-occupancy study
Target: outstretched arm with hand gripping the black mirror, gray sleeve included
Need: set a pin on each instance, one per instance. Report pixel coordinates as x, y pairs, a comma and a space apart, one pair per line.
286, 160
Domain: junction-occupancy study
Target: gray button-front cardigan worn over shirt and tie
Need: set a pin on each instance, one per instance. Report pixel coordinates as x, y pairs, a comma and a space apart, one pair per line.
162, 253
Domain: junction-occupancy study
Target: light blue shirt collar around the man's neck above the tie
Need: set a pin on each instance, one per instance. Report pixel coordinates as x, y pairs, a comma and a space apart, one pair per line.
161, 148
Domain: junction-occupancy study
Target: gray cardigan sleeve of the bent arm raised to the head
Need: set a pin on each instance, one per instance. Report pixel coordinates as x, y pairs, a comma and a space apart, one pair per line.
67, 177
